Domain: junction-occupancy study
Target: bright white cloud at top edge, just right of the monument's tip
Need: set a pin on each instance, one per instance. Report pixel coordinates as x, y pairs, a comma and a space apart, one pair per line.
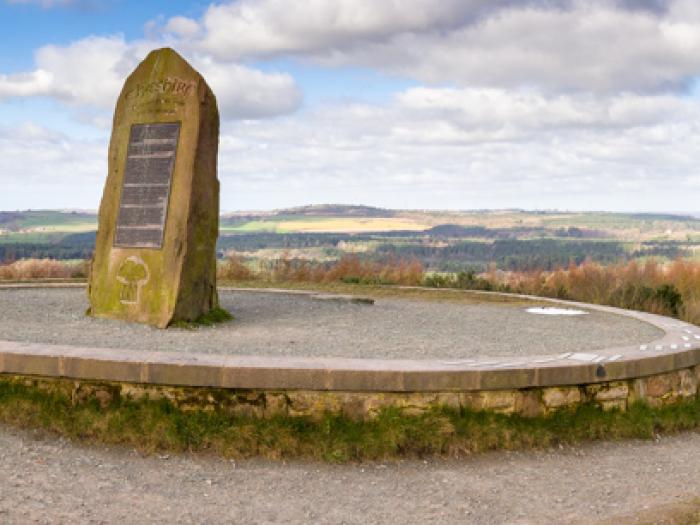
267, 27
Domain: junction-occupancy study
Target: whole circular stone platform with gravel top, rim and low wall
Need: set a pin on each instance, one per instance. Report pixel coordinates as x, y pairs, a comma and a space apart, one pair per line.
308, 353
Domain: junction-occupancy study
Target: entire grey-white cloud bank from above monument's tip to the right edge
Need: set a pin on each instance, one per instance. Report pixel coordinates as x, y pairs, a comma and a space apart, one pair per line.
589, 45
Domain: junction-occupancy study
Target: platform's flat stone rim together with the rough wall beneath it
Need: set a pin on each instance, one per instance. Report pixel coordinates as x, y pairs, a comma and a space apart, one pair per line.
661, 372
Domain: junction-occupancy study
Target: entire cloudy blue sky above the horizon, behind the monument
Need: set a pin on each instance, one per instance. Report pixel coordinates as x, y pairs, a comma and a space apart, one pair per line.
461, 104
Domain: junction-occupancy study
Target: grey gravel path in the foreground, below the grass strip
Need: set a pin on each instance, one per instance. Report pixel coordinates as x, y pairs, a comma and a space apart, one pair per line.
44, 479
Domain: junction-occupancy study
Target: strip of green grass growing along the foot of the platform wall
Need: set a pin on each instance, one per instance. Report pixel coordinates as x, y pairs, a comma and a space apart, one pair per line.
152, 426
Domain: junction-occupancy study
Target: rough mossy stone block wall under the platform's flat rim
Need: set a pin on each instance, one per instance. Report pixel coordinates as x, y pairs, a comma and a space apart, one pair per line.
657, 390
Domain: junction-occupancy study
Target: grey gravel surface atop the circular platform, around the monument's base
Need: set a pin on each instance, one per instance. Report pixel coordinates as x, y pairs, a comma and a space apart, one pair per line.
297, 325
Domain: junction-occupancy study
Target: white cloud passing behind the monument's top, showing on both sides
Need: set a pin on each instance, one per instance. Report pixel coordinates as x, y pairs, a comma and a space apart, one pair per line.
91, 71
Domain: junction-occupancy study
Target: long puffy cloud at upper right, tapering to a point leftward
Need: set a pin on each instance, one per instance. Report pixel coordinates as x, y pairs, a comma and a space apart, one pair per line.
589, 48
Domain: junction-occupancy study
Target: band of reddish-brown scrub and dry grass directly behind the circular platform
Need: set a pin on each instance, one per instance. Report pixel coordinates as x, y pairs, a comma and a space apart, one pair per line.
664, 288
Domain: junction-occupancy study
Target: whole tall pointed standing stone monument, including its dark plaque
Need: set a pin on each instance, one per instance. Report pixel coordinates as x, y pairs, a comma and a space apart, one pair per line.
155, 256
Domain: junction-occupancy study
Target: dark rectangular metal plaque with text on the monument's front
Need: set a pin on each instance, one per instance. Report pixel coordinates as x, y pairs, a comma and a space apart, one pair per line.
150, 161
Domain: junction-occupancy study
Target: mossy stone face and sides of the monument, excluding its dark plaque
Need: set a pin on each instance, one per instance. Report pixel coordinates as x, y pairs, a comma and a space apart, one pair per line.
182, 279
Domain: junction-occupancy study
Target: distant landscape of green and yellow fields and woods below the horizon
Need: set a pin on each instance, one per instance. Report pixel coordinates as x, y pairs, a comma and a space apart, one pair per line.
442, 240
